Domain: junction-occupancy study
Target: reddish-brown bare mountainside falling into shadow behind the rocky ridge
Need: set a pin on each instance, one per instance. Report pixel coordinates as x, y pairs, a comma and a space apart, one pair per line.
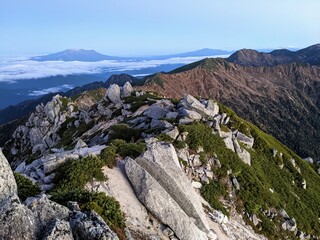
283, 100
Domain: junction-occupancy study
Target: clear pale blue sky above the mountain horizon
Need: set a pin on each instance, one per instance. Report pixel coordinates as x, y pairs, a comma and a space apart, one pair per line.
145, 27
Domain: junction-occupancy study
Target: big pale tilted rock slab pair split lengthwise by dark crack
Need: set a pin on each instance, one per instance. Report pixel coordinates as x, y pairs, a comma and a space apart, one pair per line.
157, 175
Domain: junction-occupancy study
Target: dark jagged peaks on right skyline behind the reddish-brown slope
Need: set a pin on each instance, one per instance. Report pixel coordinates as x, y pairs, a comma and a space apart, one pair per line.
248, 57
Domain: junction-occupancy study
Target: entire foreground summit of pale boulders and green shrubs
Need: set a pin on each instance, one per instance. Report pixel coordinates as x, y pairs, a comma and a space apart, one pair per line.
132, 164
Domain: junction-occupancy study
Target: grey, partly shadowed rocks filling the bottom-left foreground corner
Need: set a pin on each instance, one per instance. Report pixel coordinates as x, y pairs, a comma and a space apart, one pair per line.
40, 218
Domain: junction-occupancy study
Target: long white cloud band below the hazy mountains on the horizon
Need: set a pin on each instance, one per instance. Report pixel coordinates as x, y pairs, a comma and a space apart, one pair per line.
13, 69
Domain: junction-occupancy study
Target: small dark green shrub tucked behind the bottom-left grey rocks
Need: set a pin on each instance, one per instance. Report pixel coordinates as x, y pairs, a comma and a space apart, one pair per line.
26, 188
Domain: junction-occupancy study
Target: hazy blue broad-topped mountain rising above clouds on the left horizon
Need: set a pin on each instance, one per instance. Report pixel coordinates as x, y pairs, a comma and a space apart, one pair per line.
76, 55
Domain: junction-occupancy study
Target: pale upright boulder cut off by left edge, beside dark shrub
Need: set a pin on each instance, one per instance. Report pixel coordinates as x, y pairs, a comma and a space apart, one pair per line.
8, 186
